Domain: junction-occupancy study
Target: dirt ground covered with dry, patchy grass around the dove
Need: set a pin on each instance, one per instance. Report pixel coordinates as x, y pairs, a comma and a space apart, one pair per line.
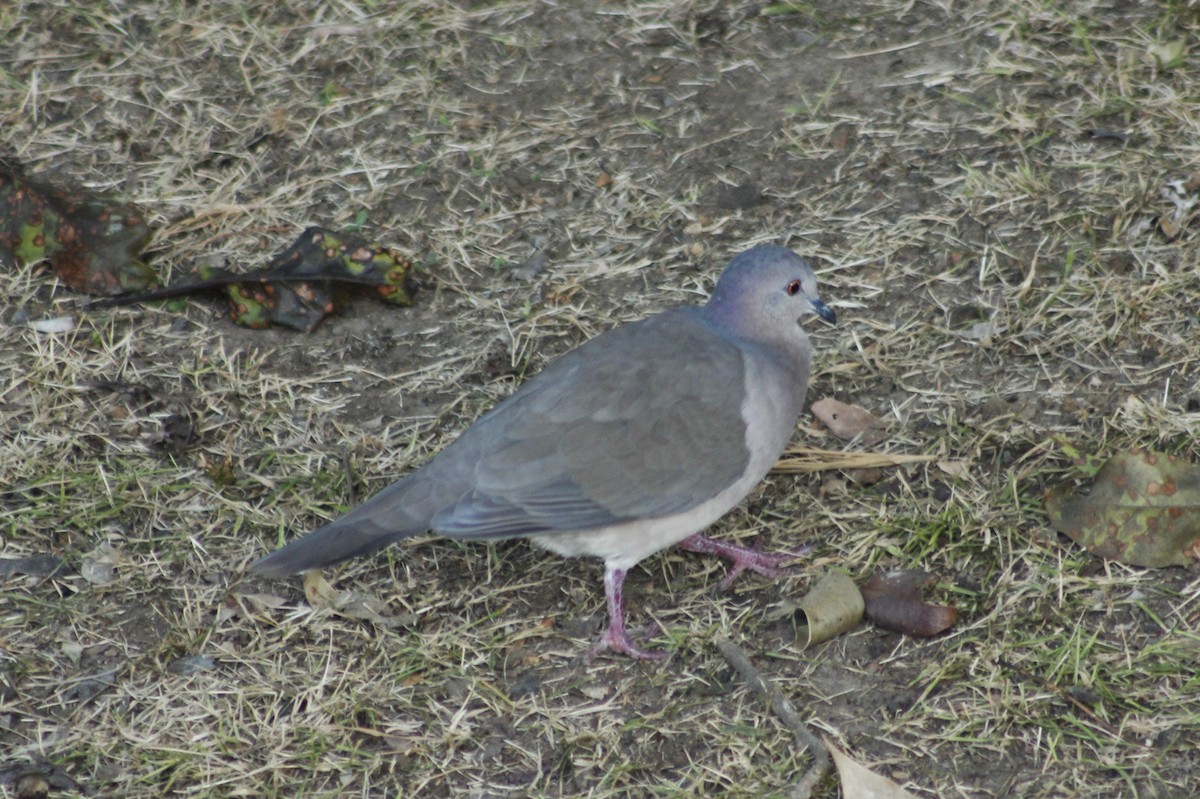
1000, 199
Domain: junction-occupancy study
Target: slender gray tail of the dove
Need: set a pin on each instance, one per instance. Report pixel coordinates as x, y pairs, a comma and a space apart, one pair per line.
382, 520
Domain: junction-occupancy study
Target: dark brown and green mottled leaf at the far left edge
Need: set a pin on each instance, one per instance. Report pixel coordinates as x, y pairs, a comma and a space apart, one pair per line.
92, 241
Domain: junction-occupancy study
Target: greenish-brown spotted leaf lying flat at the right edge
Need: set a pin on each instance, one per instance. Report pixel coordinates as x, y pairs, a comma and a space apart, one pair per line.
1143, 509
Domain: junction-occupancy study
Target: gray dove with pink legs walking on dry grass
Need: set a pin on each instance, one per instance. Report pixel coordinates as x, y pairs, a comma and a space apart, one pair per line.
638, 440
